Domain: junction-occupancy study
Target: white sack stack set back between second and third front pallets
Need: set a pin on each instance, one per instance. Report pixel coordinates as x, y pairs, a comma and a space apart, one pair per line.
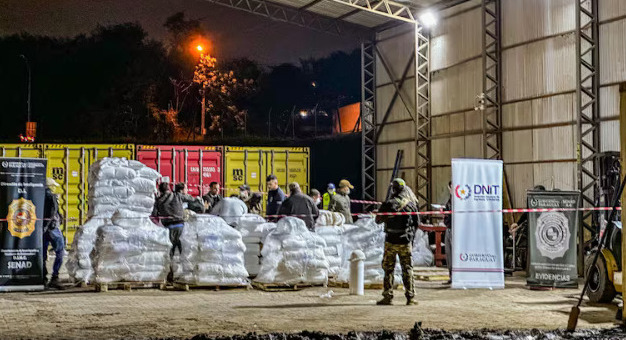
253, 229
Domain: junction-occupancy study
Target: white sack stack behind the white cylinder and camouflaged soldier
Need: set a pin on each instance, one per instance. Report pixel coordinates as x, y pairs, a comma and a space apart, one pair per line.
367, 236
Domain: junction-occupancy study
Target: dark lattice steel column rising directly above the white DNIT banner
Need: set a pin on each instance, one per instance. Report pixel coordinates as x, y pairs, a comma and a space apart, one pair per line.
491, 97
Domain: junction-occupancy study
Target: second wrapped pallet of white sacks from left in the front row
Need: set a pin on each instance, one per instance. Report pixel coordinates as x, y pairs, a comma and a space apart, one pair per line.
212, 253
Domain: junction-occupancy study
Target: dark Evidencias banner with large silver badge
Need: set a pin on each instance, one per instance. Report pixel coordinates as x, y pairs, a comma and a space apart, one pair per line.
552, 239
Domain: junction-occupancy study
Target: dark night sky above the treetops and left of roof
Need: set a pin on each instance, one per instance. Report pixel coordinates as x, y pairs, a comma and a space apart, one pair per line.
234, 33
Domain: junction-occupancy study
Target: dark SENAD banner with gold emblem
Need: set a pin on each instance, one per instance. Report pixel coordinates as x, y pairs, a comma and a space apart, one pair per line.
22, 197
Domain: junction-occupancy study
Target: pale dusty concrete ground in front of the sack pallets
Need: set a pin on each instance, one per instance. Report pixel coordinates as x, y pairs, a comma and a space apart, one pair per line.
149, 313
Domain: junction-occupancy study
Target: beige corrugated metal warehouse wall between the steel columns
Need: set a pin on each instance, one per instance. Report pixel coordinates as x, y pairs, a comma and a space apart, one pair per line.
539, 92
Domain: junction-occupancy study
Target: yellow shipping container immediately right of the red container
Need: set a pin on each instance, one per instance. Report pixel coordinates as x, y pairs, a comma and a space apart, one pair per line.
251, 165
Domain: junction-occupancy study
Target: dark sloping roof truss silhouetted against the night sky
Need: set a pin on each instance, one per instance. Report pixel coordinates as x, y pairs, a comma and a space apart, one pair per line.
292, 15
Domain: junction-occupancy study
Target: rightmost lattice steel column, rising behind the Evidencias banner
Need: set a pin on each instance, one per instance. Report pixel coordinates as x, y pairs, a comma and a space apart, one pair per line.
588, 103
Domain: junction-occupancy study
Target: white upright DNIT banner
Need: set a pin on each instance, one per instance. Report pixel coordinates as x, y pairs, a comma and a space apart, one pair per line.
477, 250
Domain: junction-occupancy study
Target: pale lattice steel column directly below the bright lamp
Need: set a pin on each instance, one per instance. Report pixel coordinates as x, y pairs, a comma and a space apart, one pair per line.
423, 157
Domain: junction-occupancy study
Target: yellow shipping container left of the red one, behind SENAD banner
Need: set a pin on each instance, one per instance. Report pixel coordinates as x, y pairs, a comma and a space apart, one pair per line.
68, 164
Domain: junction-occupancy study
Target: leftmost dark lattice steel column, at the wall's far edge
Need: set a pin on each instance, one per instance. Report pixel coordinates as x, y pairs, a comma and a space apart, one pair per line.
368, 120
